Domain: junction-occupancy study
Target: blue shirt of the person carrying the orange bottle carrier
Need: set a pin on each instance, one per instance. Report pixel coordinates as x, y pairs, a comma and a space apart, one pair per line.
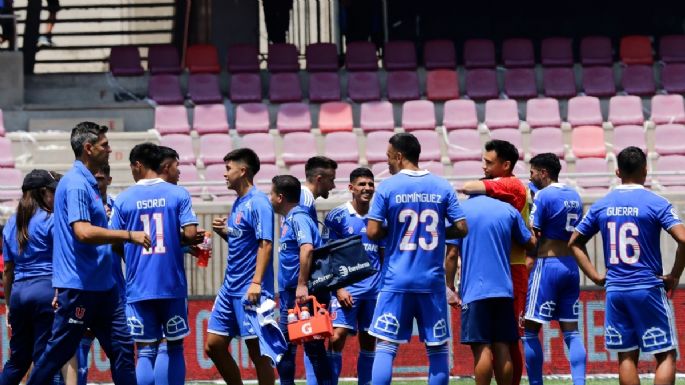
297, 229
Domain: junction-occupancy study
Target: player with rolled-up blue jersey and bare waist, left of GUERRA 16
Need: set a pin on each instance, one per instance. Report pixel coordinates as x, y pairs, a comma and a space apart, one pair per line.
553, 286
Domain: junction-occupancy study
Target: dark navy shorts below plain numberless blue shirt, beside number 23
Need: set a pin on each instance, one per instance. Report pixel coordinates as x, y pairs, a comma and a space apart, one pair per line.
488, 320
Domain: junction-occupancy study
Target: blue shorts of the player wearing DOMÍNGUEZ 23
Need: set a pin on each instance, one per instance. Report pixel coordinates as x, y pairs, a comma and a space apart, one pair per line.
393, 319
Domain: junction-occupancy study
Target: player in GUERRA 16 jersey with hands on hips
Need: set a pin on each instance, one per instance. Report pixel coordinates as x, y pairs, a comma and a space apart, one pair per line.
638, 316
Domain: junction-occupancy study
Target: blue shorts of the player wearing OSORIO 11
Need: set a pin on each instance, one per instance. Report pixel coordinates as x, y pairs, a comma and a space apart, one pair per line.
154, 319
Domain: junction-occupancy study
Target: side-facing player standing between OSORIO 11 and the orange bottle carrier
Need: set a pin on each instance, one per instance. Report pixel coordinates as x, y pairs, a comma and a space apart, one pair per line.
249, 231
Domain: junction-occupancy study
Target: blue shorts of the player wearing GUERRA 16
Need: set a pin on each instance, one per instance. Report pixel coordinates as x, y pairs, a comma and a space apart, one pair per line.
639, 319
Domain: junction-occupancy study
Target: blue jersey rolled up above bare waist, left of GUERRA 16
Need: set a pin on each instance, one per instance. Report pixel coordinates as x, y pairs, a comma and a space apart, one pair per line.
557, 209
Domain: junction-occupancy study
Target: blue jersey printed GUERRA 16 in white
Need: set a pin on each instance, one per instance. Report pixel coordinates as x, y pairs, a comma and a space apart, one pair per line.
630, 219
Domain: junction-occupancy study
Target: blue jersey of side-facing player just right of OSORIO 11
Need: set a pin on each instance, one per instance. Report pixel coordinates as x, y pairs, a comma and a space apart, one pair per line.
251, 220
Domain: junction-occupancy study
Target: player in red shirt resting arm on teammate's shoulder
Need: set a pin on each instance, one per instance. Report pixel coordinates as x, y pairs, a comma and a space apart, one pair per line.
499, 160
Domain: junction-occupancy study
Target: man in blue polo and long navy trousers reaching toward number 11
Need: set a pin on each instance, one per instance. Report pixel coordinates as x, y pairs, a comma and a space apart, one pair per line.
82, 267
